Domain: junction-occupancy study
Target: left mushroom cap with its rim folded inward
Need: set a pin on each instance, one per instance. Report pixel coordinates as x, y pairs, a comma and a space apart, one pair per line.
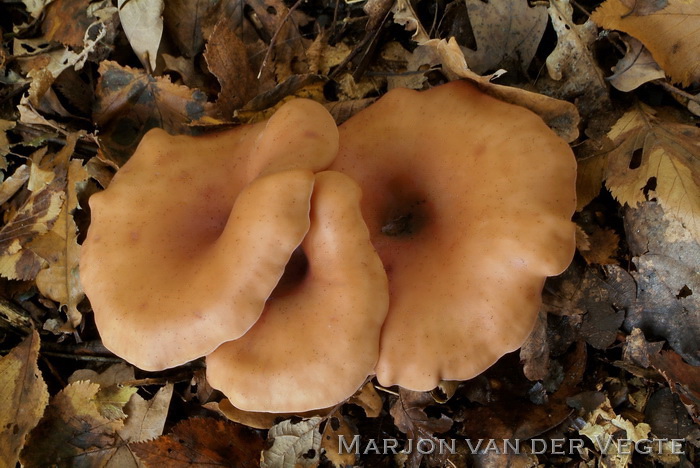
187, 243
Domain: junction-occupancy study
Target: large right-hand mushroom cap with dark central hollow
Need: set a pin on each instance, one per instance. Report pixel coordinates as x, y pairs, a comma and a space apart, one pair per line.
468, 201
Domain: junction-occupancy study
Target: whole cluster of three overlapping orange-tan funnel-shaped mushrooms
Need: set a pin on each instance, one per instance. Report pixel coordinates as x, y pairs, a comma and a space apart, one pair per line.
299, 257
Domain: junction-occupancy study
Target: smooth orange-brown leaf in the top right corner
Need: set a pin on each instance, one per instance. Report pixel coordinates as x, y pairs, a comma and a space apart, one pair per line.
670, 33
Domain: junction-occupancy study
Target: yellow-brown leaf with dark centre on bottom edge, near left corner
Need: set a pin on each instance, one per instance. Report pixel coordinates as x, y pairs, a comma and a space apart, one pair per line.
72, 431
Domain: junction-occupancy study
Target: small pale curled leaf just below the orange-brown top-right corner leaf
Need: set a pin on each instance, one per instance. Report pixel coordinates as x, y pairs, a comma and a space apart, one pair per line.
635, 68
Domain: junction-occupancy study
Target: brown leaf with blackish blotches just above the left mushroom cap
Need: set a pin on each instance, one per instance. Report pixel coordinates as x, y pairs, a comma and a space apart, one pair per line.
130, 102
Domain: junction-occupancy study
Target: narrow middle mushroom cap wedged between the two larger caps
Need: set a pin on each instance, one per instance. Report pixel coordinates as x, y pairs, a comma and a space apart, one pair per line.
314, 346
